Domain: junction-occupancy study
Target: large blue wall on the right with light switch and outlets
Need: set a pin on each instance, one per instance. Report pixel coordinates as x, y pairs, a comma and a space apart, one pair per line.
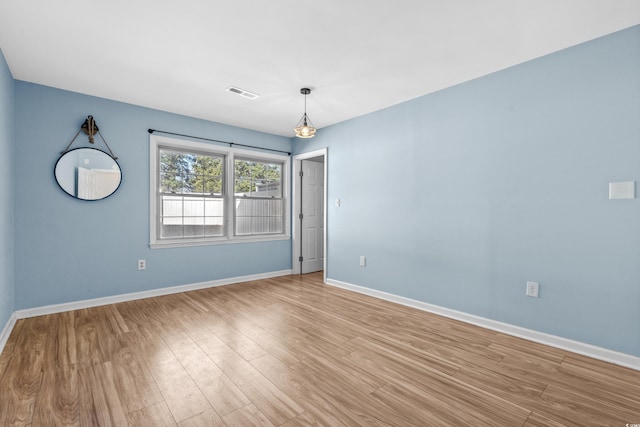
460, 197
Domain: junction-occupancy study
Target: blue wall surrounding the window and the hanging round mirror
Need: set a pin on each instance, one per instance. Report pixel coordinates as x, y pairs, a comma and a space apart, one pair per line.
70, 250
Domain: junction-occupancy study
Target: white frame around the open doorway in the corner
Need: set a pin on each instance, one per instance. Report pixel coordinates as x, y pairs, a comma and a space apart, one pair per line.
296, 192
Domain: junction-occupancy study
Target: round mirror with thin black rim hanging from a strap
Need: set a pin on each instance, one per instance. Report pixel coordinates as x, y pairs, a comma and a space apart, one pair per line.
88, 174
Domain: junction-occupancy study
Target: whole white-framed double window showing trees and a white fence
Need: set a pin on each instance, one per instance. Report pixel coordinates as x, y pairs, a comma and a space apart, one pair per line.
206, 194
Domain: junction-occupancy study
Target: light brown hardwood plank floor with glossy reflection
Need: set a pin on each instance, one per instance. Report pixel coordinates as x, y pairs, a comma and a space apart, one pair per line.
291, 351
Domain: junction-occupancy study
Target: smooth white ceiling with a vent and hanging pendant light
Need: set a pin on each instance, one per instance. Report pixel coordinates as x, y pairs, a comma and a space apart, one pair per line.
357, 56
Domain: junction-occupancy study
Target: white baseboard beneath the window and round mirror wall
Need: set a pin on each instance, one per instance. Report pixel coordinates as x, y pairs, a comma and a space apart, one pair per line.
77, 305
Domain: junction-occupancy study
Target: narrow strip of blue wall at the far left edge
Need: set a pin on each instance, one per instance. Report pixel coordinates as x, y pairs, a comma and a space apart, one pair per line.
6, 192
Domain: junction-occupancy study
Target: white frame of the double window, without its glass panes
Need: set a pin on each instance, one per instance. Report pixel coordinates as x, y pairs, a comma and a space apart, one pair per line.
229, 153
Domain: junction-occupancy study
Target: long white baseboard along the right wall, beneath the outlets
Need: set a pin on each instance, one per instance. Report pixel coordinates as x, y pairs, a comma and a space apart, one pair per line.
589, 350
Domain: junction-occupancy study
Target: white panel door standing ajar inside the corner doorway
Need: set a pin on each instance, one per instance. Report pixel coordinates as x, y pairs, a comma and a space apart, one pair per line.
312, 222
